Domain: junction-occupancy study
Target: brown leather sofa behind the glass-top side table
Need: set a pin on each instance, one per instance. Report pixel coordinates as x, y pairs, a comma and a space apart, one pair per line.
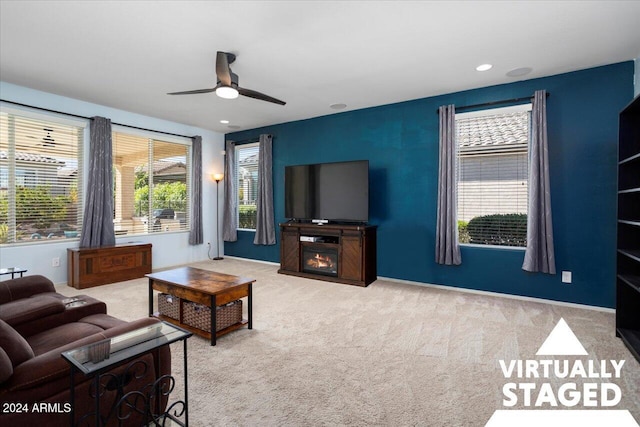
37, 324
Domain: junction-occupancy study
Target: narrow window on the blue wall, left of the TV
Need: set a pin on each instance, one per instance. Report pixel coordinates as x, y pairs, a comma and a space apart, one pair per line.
247, 184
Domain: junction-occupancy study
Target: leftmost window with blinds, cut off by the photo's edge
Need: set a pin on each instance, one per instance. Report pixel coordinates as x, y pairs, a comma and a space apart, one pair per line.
40, 177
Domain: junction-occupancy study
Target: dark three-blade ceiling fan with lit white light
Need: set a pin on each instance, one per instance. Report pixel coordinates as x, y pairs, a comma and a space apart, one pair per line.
227, 85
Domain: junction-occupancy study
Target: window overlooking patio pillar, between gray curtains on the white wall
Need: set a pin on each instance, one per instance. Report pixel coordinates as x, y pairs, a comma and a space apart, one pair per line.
151, 183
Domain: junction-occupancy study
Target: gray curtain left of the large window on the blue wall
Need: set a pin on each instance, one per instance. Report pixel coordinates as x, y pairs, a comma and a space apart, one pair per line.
447, 247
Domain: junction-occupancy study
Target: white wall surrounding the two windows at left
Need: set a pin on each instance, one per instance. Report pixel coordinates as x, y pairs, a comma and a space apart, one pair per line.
169, 249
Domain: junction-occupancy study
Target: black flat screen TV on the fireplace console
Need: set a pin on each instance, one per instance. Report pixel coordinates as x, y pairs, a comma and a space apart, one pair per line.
327, 191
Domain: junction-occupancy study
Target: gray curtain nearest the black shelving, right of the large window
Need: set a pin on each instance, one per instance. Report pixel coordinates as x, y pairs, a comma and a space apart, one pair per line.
539, 256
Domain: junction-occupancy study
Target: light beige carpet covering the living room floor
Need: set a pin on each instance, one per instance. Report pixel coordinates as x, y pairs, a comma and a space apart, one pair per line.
324, 354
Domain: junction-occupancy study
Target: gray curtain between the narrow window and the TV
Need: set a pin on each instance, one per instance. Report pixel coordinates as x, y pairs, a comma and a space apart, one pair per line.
265, 223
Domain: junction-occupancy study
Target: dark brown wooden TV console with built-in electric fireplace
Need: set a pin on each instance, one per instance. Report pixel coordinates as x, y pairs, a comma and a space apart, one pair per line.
332, 252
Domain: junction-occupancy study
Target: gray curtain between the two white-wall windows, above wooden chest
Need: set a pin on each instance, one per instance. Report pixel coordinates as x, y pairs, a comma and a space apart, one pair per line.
97, 225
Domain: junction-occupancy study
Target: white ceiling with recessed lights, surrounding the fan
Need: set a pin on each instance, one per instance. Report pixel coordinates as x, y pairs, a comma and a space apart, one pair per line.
311, 54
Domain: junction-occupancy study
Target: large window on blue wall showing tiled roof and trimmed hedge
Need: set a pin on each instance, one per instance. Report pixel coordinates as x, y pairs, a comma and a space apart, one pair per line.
493, 176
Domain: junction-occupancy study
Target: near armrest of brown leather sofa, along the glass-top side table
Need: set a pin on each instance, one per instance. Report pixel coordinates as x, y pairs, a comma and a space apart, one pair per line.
50, 366
